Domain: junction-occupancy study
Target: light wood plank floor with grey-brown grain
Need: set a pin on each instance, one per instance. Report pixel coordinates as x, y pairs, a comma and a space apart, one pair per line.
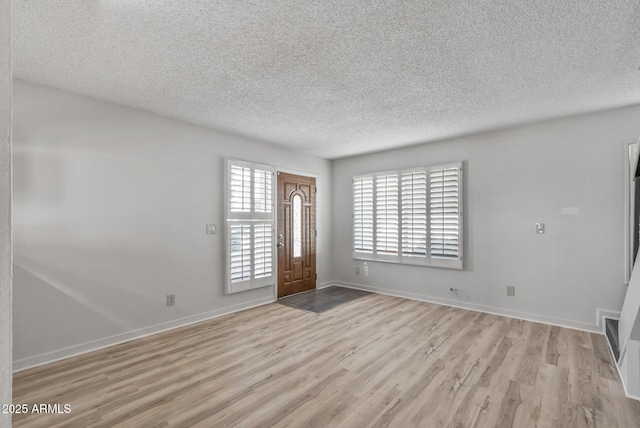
375, 362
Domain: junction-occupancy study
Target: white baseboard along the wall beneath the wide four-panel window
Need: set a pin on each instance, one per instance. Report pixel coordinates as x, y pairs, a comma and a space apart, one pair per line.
474, 307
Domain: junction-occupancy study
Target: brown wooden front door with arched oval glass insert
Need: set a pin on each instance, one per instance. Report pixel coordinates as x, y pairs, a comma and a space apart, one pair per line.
296, 234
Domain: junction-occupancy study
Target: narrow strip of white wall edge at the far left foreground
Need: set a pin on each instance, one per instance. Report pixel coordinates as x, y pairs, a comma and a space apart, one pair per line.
5, 208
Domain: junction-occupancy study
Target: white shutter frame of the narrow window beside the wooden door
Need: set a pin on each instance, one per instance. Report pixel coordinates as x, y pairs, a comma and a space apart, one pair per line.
251, 218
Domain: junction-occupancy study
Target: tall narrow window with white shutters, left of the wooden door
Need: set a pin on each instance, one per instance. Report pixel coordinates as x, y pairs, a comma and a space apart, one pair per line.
250, 226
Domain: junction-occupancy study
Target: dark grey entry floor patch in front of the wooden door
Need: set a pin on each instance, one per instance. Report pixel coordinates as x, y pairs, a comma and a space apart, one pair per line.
322, 300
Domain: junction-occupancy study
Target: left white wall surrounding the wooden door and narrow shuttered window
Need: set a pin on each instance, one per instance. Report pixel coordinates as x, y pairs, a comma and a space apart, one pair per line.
110, 207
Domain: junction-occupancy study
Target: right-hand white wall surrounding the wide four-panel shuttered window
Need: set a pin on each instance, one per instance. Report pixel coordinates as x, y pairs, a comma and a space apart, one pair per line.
566, 173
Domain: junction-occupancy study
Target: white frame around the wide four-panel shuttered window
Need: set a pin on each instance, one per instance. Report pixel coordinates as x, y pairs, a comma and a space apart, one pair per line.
427, 260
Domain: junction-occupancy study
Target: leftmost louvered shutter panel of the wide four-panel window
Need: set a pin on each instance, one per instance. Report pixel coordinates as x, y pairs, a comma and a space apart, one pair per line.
363, 215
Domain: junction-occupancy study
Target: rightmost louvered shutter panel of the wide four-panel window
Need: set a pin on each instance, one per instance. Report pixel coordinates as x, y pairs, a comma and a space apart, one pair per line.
445, 213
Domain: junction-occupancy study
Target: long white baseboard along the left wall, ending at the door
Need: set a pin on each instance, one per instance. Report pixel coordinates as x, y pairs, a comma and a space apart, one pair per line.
83, 348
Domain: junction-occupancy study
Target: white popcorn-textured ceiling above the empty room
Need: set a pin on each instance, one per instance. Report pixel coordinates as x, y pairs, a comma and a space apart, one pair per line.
335, 78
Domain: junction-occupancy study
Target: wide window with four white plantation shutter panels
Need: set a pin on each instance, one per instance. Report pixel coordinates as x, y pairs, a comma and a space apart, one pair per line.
411, 216
